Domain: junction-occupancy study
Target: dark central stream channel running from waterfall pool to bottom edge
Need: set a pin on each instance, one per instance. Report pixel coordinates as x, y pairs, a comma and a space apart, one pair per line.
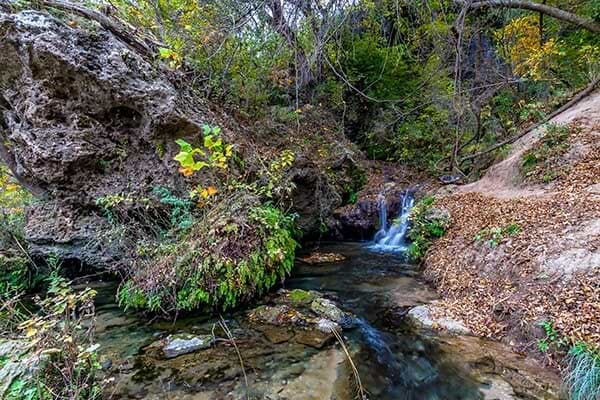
393, 361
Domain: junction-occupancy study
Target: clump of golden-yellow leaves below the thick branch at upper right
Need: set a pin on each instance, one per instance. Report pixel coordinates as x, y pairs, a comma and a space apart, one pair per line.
529, 55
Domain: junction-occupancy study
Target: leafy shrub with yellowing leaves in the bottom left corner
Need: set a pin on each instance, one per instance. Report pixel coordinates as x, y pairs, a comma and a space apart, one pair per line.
53, 349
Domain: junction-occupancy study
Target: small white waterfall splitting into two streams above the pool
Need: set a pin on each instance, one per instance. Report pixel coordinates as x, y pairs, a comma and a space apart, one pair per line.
392, 238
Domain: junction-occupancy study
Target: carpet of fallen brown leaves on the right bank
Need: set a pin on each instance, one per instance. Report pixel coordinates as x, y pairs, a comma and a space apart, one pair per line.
503, 287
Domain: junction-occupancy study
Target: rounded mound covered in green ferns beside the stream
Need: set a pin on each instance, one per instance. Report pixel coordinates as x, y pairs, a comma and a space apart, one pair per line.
213, 266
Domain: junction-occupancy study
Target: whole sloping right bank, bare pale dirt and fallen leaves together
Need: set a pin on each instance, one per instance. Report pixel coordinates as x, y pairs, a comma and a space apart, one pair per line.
518, 252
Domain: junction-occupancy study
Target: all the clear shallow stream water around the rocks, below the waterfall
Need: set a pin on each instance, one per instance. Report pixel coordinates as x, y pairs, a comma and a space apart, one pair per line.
394, 361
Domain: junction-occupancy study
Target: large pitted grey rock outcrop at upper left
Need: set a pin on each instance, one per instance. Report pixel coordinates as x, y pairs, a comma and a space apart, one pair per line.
81, 117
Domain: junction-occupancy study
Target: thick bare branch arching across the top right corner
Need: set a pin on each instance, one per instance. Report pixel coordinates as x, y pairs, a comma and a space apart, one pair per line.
537, 7
